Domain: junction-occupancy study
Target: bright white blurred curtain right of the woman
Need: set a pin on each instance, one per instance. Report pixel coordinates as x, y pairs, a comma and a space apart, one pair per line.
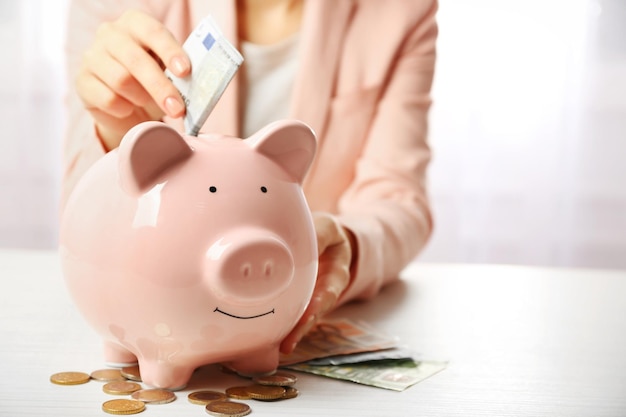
529, 133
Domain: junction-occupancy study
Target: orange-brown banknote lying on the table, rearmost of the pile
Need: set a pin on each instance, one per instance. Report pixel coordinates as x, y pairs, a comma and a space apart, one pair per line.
338, 337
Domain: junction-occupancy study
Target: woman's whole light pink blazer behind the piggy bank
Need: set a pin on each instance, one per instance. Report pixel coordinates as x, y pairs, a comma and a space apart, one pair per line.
363, 85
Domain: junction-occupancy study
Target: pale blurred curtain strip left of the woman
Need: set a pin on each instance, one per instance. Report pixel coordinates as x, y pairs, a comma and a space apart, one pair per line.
31, 120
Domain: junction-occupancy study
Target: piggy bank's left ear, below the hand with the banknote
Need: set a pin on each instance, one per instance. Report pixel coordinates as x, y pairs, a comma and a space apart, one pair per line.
146, 152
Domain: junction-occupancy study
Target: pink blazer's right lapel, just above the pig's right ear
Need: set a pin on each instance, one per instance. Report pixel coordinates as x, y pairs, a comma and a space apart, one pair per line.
323, 29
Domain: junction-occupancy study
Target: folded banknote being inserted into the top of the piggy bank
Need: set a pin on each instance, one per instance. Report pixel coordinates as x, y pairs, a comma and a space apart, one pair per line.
214, 62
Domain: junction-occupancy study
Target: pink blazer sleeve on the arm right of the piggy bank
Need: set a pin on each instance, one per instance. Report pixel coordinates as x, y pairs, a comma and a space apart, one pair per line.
386, 205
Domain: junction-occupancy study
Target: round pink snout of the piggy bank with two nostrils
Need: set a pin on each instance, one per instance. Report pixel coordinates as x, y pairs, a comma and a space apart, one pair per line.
249, 266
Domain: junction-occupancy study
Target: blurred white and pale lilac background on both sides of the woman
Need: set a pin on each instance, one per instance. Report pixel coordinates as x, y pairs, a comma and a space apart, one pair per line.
528, 130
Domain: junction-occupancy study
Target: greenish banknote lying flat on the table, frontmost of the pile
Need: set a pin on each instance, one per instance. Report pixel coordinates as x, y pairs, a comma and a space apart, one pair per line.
396, 375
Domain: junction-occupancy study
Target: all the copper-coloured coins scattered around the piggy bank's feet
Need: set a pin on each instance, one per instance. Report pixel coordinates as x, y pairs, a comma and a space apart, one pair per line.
126, 381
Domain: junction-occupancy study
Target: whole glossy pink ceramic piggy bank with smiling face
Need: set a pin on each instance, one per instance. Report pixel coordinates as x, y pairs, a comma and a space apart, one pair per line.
183, 251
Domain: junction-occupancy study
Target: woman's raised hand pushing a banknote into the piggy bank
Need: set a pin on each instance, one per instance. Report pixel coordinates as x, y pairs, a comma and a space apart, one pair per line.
121, 80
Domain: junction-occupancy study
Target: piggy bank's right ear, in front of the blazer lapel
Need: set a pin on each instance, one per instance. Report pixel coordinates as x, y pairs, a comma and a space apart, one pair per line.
289, 143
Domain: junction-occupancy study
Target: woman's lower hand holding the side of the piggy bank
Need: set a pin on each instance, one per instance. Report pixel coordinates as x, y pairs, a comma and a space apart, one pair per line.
337, 248
